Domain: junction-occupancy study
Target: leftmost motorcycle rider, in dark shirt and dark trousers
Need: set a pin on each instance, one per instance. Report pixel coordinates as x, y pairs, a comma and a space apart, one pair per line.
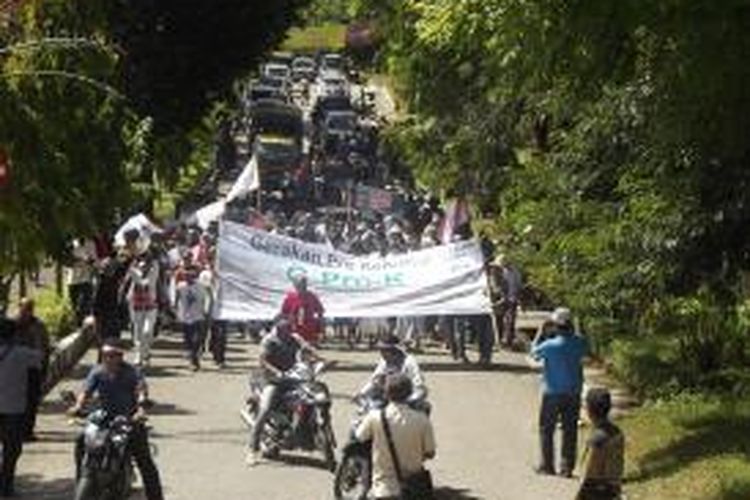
122, 390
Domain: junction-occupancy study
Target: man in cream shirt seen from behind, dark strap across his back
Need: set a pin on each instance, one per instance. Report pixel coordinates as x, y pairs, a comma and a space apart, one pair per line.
402, 440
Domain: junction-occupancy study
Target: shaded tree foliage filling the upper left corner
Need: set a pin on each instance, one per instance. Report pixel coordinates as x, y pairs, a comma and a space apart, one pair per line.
96, 97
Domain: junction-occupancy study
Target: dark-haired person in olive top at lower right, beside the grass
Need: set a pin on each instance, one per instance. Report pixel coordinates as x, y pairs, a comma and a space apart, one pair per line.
604, 458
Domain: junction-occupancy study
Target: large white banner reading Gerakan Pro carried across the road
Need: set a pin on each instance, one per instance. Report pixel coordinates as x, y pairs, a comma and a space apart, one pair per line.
256, 268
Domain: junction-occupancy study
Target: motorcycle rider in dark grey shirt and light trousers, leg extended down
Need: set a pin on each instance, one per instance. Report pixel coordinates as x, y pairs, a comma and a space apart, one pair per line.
279, 351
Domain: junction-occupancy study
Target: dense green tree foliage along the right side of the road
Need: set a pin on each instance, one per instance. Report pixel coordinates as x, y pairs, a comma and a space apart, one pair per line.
606, 140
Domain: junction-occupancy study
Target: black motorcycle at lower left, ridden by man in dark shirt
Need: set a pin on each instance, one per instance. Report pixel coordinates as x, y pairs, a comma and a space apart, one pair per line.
106, 469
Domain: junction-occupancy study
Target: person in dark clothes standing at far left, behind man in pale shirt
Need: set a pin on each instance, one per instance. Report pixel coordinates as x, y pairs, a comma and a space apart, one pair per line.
32, 333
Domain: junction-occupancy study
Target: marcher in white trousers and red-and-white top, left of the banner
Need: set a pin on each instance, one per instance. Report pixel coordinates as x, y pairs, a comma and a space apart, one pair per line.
142, 297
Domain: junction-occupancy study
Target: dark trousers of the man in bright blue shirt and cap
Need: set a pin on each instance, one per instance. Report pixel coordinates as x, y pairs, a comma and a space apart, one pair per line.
566, 409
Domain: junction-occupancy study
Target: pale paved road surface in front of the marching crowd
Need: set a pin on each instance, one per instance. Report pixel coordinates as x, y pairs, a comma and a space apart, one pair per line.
484, 423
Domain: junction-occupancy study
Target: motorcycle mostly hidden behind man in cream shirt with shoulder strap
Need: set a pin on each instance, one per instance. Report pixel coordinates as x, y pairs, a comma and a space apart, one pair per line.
353, 477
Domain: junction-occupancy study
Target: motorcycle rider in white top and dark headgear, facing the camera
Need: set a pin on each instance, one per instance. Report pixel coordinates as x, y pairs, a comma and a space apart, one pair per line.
395, 360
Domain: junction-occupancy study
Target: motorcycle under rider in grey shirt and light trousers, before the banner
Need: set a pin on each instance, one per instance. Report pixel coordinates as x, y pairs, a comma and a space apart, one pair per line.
300, 419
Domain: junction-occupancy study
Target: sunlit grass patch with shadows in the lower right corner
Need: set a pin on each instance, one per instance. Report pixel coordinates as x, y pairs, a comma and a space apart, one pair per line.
691, 447
